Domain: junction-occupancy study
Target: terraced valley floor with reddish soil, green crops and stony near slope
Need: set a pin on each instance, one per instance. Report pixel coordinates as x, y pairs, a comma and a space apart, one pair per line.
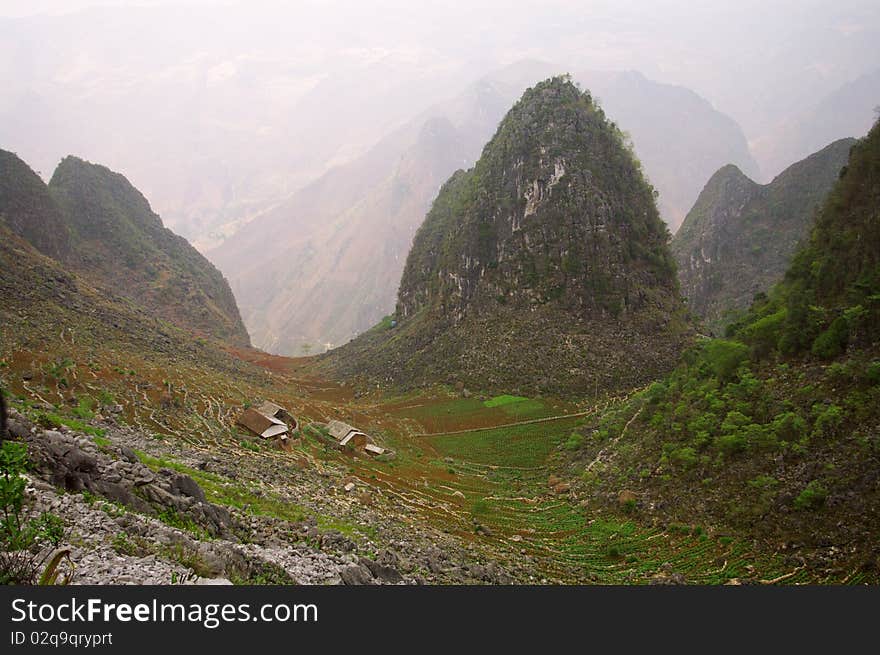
470, 495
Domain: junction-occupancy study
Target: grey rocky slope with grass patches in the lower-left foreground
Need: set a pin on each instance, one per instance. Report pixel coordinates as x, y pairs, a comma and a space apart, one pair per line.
130, 523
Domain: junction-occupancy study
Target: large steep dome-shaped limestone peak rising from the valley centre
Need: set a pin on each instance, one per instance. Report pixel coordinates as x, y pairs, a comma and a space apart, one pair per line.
545, 267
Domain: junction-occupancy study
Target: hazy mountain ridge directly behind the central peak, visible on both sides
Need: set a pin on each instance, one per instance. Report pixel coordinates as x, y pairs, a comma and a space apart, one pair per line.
324, 265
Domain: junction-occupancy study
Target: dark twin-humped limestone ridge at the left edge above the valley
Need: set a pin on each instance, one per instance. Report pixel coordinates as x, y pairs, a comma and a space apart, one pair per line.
96, 224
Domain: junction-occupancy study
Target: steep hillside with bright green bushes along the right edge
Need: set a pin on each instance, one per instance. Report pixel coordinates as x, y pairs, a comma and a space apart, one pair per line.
771, 433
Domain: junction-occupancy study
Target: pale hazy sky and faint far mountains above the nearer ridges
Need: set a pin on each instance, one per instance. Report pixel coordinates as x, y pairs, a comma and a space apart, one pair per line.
203, 101
